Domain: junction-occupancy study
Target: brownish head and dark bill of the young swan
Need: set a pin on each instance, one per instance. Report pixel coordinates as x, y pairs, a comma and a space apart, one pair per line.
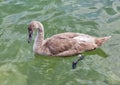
32, 26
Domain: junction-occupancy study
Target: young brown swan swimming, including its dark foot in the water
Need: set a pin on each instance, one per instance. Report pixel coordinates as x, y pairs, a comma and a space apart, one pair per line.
63, 44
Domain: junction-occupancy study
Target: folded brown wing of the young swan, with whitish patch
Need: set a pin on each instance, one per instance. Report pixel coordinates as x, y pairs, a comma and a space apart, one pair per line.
67, 44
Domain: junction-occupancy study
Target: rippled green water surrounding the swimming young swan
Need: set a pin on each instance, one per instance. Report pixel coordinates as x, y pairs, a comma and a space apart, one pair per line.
19, 65
